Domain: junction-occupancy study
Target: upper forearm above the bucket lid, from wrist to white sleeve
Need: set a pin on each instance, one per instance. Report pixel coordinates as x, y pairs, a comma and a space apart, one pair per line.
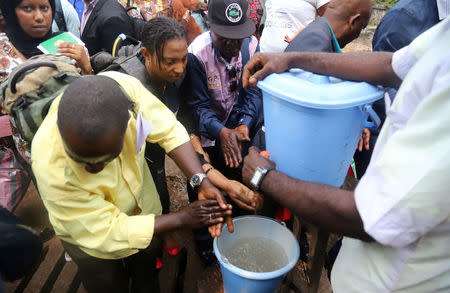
373, 67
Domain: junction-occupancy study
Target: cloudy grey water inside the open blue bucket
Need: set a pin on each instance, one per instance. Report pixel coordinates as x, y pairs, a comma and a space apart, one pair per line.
256, 254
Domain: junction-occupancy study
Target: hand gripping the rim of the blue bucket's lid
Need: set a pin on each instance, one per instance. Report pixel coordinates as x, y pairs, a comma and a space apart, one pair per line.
263, 64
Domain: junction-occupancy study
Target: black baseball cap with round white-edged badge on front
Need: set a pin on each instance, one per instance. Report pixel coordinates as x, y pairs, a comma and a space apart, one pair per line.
228, 18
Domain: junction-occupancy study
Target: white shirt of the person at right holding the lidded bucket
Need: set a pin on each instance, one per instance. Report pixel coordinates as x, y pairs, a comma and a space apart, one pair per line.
404, 197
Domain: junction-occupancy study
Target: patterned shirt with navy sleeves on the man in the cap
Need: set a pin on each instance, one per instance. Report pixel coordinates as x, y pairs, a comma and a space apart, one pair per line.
216, 101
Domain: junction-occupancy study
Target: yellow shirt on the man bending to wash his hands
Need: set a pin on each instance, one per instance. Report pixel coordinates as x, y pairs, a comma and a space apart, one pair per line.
110, 214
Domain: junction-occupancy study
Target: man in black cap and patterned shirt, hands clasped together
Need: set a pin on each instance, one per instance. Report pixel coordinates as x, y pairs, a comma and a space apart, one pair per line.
228, 114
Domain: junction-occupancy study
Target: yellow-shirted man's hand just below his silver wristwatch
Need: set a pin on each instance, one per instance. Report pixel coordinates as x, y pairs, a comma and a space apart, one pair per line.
208, 191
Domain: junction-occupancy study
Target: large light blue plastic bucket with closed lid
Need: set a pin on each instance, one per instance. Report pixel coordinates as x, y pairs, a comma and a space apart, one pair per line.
313, 123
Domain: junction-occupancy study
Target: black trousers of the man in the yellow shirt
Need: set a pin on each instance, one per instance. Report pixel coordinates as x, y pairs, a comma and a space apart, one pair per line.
136, 273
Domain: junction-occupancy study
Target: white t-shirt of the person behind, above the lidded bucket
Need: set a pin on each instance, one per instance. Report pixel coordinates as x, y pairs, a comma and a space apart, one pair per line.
286, 17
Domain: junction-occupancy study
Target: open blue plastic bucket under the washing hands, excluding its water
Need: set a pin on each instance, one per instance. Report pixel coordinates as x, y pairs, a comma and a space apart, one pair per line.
237, 280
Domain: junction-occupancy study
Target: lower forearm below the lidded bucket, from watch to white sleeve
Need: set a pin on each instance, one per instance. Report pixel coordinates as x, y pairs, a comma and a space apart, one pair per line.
328, 207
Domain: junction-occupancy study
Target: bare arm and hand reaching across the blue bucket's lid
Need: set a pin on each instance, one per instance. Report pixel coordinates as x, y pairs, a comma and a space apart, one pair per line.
372, 67
